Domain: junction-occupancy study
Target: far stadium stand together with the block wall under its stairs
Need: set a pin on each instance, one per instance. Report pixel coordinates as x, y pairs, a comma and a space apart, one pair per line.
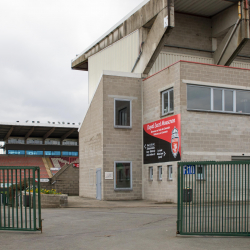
52, 147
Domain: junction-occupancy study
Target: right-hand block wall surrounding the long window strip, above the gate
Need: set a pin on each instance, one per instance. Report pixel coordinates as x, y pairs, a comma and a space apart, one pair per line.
213, 136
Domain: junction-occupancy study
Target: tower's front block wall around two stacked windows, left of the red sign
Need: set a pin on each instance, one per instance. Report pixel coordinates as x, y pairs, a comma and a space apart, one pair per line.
122, 144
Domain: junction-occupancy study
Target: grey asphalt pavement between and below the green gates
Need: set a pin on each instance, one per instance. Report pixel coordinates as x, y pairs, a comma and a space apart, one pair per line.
134, 227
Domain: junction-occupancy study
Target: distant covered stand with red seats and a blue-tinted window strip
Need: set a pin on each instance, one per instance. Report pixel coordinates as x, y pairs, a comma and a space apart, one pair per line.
32, 144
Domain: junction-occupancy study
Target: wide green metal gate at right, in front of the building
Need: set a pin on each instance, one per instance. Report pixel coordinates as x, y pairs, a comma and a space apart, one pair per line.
213, 198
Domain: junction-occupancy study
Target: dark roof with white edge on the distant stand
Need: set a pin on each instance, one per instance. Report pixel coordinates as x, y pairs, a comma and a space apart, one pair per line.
37, 130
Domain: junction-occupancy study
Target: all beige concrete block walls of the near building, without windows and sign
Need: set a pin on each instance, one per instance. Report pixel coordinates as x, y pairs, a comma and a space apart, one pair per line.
205, 135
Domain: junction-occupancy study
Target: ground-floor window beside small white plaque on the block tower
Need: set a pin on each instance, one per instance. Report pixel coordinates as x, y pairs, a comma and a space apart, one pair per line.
123, 175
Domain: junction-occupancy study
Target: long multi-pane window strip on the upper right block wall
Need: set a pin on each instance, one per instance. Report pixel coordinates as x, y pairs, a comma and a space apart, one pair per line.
218, 99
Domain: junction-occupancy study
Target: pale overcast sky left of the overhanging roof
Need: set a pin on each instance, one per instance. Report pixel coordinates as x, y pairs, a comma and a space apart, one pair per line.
38, 40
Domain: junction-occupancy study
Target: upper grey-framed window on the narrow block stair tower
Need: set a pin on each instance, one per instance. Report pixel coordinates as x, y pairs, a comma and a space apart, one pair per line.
122, 114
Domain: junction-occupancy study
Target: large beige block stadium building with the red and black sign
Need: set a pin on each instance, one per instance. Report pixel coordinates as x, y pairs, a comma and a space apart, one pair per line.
168, 83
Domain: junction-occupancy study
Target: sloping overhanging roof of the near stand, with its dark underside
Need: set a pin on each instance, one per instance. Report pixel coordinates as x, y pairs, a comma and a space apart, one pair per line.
149, 8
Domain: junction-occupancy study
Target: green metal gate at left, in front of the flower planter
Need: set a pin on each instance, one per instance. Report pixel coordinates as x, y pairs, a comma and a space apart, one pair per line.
20, 208
